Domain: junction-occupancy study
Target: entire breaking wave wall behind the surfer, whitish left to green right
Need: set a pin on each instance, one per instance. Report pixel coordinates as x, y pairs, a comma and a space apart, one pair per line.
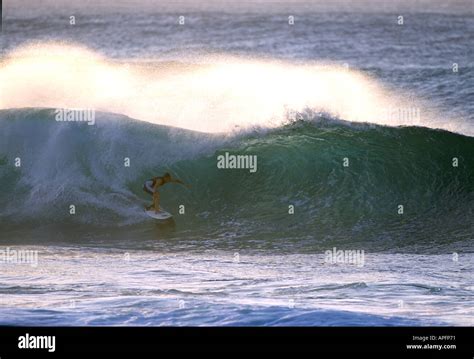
346, 183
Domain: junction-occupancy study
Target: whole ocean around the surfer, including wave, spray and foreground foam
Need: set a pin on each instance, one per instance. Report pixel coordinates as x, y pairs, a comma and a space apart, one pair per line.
364, 126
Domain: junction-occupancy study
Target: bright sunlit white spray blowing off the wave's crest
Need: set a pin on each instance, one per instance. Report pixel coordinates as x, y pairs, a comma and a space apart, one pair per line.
218, 93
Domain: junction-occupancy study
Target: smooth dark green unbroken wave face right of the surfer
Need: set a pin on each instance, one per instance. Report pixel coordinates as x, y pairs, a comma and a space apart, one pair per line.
346, 184
